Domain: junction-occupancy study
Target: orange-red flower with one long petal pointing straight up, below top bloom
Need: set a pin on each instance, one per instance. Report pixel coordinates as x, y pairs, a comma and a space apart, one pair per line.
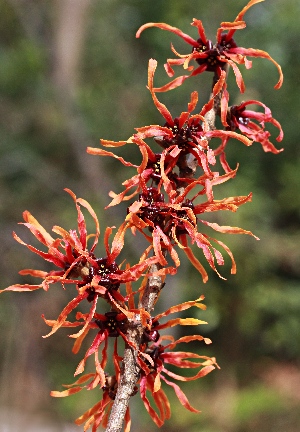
184, 135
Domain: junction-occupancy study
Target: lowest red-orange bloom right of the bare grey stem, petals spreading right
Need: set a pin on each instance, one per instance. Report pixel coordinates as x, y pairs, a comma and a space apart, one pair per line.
158, 356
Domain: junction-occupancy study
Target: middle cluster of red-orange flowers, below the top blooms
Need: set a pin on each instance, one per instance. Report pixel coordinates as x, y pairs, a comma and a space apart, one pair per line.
169, 183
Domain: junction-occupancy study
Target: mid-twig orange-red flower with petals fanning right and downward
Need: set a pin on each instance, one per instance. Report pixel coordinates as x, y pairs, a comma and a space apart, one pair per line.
172, 223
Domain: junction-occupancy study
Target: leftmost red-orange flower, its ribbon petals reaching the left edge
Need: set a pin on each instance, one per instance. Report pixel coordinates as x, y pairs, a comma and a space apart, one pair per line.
94, 277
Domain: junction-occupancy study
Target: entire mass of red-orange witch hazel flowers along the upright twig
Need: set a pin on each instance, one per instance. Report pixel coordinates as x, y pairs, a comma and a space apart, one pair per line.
169, 196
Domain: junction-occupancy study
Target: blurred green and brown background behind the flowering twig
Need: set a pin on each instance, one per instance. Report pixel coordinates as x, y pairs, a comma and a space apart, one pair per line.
71, 72
